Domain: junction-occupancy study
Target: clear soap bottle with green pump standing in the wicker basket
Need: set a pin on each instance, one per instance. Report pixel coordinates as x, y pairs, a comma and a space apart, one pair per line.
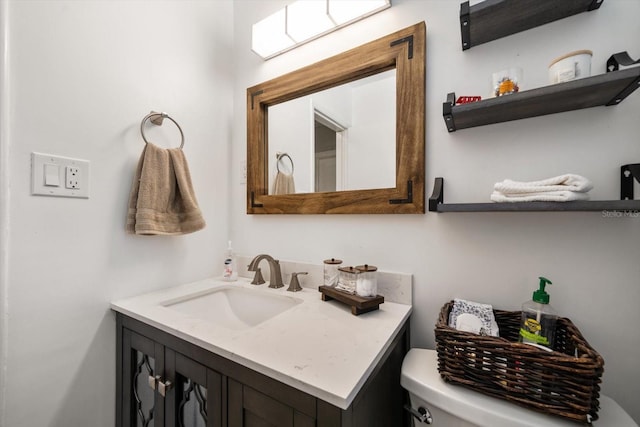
538, 325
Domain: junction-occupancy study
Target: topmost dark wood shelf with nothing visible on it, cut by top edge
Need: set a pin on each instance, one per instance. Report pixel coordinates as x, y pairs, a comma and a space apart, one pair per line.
494, 19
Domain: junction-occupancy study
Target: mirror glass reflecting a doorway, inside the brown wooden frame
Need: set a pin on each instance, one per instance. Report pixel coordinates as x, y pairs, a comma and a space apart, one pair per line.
341, 138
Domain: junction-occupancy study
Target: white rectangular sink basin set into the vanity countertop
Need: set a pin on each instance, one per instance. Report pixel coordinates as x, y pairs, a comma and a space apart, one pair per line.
232, 307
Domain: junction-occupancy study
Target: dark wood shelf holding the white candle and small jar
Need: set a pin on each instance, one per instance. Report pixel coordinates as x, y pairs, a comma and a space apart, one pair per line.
604, 89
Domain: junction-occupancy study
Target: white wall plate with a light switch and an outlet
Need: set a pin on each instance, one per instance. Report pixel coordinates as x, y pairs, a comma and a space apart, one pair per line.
73, 176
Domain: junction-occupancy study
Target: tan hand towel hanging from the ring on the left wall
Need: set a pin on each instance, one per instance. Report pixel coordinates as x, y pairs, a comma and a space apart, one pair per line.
162, 200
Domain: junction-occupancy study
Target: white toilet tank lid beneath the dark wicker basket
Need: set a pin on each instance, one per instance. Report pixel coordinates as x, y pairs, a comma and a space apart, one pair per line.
420, 377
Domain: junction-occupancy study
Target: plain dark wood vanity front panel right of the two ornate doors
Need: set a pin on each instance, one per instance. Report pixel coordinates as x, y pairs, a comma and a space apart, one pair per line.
251, 408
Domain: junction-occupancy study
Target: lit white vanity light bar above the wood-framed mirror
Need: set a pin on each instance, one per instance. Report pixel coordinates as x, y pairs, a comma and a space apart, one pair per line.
305, 20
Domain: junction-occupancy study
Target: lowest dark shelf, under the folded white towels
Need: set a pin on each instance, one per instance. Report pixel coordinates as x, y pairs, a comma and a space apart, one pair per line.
436, 204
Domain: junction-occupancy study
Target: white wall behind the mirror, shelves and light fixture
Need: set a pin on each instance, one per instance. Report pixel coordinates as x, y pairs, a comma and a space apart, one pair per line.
490, 257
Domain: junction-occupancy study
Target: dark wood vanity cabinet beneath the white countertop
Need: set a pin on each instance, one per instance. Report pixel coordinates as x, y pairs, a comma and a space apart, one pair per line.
163, 380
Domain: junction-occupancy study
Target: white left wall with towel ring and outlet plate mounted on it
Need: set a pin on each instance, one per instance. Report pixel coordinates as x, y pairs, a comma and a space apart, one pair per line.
81, 76
